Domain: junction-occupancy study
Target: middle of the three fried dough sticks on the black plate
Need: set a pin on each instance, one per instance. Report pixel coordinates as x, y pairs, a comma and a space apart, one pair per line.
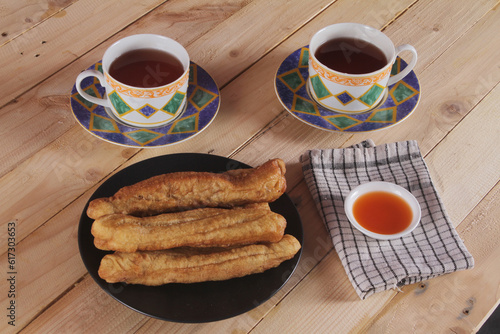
207, 227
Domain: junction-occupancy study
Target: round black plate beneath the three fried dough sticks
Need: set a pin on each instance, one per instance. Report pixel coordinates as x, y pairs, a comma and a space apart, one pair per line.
197, 302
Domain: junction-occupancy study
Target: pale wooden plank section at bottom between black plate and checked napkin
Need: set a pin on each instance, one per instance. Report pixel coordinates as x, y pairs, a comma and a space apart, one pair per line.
323, 302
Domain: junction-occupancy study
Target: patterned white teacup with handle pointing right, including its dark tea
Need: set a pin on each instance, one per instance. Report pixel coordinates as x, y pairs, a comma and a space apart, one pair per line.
350, 66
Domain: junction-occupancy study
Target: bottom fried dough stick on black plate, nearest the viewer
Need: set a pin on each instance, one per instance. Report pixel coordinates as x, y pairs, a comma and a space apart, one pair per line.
191, 265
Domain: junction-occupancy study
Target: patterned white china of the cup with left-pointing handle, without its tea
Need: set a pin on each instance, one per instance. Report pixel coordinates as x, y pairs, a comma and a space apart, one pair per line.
140, 106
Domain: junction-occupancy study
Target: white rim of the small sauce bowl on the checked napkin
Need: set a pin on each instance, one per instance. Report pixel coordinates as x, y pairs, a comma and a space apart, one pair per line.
387, 187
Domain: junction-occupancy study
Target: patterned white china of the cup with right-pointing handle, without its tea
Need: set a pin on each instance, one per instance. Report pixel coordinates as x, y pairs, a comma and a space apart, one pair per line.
353, 93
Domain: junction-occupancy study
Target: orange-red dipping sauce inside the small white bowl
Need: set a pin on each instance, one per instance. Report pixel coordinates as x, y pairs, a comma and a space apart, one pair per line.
382, 212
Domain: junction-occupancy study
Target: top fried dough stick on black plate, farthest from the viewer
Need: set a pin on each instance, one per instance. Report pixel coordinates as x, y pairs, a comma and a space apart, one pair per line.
189, 190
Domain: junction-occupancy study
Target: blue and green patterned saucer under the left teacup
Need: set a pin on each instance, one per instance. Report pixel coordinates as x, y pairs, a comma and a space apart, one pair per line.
202, 107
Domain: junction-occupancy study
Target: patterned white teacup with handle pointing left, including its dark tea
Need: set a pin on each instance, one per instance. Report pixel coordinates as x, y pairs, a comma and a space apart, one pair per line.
146, 79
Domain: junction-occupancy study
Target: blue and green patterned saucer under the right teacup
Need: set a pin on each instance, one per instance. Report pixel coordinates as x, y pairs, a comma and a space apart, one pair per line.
291, 88
